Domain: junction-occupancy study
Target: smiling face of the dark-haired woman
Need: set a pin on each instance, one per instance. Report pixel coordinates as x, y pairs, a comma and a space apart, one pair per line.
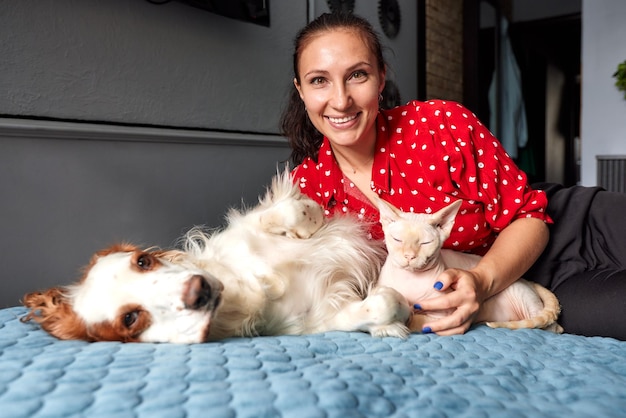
340, 84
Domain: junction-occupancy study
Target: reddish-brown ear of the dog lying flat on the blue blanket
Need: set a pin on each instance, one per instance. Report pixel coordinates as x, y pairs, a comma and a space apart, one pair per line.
54, 313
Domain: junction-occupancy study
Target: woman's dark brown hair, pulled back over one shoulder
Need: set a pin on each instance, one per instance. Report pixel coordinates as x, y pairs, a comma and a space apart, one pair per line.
303, 137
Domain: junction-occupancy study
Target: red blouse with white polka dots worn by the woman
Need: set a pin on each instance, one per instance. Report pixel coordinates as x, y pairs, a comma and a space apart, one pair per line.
429, 155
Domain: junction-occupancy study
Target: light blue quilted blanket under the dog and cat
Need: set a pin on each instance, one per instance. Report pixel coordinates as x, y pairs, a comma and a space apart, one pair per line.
486, 372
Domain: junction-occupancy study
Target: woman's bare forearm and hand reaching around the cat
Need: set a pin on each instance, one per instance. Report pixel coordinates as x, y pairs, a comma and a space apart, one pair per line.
514, 251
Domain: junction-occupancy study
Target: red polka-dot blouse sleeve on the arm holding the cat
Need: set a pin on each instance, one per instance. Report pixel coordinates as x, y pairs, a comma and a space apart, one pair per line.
484, 171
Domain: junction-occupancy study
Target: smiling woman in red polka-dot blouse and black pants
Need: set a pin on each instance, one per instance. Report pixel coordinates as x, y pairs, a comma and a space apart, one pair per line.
422, 156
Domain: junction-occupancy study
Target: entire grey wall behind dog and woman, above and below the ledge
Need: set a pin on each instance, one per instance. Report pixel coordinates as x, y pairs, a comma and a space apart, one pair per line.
121, 120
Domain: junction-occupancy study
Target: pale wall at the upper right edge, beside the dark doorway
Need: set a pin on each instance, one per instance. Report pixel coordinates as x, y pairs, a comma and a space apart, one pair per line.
603, 112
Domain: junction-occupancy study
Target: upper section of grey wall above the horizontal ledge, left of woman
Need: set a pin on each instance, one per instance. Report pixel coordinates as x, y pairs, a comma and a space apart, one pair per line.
131, 61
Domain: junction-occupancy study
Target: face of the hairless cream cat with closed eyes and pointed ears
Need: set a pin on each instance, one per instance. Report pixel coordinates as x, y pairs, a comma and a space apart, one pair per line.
414, 240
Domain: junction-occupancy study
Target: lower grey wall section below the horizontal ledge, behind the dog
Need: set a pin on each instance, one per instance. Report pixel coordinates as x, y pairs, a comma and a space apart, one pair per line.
69, 190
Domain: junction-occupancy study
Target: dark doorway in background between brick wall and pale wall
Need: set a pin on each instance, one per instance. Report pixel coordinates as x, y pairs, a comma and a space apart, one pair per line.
547, 52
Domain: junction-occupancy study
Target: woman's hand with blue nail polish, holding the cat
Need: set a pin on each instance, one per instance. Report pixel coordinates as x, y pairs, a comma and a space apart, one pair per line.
462, 291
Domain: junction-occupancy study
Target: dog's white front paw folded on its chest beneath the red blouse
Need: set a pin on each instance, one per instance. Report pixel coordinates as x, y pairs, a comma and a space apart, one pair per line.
294, 218
